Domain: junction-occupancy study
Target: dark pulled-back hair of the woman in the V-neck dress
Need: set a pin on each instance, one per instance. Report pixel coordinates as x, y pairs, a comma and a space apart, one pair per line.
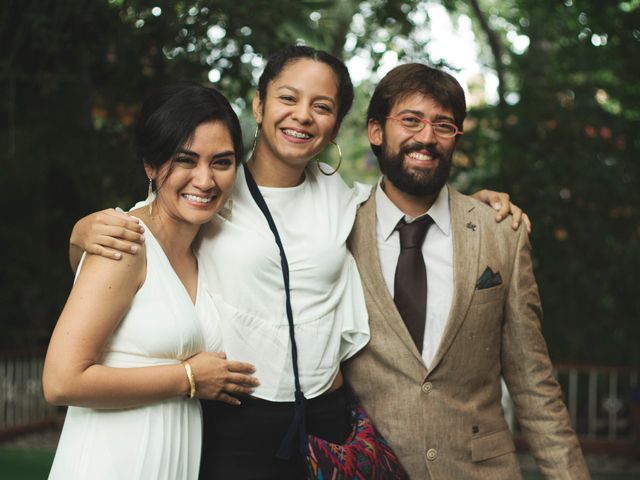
170, 116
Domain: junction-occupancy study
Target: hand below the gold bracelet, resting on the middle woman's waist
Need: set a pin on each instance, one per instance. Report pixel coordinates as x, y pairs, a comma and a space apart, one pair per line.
218, 378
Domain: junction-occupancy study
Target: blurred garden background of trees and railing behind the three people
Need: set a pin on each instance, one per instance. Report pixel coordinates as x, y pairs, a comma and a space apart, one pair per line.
553, 88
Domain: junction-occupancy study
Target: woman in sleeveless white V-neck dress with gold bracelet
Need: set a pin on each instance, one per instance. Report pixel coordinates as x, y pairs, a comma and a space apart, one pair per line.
127, 353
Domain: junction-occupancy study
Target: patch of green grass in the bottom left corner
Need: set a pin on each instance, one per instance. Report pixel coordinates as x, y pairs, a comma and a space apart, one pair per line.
21, 464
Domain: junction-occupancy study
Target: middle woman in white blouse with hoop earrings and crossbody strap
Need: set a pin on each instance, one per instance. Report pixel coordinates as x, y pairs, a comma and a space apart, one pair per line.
302, 97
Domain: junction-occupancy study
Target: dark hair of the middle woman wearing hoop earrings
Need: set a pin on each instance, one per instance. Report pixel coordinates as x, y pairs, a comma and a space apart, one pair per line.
289, 54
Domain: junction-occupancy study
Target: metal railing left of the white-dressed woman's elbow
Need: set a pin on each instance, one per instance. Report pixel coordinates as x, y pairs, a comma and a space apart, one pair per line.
22, 403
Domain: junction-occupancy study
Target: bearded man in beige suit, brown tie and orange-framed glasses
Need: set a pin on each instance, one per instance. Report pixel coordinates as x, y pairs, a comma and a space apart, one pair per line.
435, 395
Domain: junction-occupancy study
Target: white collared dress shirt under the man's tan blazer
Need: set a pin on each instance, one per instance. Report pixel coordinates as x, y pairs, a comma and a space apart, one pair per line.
437, 251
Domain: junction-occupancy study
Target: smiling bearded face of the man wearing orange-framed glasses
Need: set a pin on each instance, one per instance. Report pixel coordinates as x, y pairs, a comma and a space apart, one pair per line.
416, 163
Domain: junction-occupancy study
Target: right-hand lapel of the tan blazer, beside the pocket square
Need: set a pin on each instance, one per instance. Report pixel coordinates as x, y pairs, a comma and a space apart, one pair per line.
466, 248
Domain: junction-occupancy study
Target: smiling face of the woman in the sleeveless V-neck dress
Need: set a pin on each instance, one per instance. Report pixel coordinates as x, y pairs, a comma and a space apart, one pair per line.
195, 185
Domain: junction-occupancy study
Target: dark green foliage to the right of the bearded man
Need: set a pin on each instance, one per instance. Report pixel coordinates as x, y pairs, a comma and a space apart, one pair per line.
567, 151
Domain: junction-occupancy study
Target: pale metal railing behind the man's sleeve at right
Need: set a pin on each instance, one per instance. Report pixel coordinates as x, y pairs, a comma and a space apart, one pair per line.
602, 403
